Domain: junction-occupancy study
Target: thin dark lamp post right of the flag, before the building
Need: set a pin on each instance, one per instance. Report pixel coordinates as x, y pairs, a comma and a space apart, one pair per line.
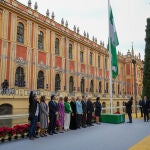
135, 91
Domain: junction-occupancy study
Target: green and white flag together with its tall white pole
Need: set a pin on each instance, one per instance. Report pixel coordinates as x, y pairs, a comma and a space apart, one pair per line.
112, 43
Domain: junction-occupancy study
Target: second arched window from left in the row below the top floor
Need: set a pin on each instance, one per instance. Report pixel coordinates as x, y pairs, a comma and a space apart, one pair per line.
40, 80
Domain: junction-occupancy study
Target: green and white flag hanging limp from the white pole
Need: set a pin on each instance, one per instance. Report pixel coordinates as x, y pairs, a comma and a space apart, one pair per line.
113, 43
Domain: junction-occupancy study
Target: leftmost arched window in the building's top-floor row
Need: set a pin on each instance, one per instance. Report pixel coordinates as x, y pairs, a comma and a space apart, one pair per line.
20, 33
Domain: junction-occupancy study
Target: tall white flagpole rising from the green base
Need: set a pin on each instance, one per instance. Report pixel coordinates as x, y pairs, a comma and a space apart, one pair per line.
110, 61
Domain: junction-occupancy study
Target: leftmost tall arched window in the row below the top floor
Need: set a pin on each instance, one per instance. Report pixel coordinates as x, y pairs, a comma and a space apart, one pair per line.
19, 77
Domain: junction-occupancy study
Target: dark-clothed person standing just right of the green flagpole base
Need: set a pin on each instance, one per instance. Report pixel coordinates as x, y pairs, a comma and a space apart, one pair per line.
129, 109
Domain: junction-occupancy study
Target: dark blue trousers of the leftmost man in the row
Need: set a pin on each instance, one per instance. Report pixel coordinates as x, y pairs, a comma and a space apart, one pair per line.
32, 128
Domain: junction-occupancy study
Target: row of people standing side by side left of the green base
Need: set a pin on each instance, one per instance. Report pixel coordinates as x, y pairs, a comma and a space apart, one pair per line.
67, 113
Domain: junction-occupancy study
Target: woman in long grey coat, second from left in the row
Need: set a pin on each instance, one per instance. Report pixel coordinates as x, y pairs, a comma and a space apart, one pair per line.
43, 116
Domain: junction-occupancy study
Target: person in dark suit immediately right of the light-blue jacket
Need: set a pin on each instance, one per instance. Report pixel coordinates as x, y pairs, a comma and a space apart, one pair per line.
84, 108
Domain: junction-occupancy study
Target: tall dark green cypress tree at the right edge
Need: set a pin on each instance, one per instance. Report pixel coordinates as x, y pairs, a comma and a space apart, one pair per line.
146, 75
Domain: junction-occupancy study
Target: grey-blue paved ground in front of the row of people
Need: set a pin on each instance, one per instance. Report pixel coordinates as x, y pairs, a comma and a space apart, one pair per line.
98, 137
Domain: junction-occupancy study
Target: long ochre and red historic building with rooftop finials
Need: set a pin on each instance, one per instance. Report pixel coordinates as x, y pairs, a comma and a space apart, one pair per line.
37, 53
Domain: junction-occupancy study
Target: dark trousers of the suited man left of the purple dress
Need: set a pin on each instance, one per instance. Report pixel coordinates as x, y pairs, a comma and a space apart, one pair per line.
52, 124
